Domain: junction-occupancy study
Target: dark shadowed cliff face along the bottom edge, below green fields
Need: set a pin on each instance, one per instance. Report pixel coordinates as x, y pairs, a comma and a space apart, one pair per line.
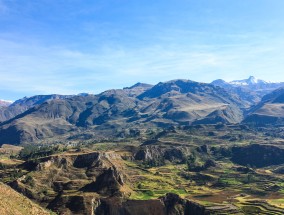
171, 204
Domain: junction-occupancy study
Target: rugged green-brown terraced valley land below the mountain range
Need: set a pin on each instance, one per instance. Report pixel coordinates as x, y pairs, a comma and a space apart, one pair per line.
200, 169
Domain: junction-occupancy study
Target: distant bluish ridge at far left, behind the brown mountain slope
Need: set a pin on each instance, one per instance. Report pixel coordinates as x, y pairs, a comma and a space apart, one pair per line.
24, 104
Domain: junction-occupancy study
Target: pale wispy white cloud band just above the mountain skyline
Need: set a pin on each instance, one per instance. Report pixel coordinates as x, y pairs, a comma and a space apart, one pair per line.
34, 68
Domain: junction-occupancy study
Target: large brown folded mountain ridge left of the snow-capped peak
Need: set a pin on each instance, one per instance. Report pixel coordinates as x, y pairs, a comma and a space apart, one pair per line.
165, 104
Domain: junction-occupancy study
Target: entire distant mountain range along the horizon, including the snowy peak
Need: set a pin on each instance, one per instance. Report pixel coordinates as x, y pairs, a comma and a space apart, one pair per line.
140, 107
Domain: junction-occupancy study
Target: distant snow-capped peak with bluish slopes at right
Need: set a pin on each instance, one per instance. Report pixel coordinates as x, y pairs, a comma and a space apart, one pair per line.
251, 90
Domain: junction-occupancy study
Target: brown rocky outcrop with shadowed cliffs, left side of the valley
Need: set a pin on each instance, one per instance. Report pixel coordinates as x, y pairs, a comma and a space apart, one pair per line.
72, 181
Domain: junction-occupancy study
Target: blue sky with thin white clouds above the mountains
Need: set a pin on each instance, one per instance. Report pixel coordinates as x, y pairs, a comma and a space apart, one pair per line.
75, 46
